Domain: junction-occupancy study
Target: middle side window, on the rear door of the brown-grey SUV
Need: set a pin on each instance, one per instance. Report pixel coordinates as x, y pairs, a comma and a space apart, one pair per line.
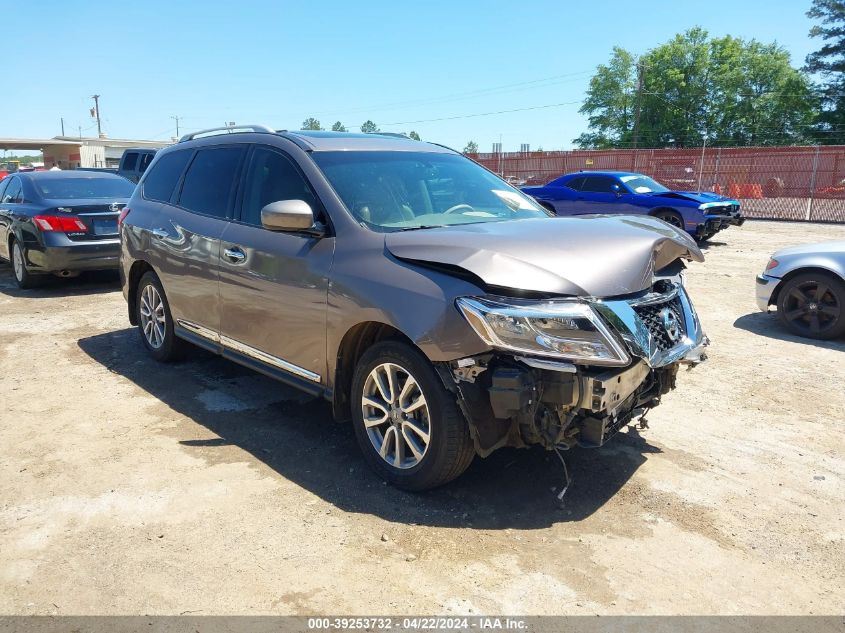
210, 180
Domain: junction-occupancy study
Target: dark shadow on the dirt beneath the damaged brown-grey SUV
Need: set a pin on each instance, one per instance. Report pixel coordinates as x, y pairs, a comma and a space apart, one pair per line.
295, 435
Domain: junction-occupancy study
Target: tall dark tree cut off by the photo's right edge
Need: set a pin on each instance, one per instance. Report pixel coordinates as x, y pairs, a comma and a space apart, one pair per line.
829, 64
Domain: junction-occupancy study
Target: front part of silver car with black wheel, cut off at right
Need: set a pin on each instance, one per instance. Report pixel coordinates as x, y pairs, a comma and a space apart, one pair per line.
807, 285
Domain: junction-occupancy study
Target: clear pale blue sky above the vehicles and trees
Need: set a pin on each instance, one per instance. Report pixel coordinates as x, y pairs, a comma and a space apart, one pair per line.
401, 64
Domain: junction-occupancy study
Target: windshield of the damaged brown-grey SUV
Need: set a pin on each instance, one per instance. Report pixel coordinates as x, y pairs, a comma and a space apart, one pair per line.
390, 191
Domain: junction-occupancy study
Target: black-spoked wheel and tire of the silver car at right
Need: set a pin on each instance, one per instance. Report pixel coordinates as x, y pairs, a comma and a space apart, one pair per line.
812, 304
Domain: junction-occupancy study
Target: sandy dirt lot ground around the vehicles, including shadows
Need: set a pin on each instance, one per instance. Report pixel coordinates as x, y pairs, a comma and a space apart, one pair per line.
134, 488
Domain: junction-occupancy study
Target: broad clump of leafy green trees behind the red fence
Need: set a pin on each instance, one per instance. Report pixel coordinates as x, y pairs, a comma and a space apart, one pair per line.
729, 90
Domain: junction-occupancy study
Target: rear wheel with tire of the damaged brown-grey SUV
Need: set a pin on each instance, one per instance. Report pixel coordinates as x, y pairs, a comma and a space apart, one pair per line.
155, 323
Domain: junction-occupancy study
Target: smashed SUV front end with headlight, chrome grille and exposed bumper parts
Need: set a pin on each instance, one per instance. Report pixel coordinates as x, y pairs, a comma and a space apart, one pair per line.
572, 371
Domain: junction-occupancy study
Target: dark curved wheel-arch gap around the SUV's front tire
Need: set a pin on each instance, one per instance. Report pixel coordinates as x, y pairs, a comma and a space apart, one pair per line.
358, 339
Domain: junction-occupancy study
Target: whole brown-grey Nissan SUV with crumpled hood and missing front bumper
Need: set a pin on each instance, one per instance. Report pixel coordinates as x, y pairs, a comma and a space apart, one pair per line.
434, 305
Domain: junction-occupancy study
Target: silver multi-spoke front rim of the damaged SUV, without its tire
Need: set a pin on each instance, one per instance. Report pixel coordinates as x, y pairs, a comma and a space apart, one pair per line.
396, 415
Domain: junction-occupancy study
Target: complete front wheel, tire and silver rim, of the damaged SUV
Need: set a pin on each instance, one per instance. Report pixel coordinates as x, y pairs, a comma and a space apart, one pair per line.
407, 423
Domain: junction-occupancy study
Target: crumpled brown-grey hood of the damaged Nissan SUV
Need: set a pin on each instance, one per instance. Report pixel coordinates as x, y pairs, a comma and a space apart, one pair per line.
599, 256
